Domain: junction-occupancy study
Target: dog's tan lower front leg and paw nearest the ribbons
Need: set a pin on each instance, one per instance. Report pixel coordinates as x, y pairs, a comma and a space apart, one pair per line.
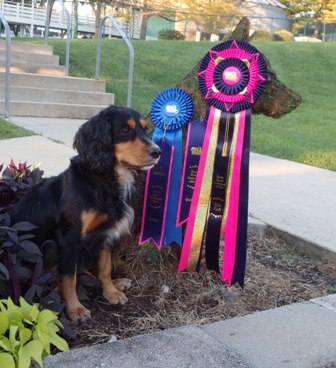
110, 292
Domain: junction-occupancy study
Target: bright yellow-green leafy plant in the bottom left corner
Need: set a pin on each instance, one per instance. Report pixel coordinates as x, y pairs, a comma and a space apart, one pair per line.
26, 334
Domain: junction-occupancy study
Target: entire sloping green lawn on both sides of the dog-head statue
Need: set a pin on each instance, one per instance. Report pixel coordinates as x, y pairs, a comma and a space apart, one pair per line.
306, 135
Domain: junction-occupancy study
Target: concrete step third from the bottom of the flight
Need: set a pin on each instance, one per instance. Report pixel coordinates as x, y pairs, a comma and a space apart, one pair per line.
54, 82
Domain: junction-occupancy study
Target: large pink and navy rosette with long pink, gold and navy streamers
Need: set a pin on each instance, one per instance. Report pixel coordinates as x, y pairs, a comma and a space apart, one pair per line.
232, 76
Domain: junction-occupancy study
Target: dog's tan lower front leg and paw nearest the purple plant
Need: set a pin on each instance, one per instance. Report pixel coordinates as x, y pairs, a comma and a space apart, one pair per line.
75, 310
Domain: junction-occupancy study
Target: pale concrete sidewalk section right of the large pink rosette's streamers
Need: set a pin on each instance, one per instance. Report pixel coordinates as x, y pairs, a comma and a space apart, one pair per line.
297, 200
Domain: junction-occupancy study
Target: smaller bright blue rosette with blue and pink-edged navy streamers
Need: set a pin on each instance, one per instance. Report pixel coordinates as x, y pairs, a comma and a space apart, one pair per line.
171, 110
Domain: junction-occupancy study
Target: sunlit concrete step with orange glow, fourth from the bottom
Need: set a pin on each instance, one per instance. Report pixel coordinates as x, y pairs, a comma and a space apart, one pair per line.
23, 67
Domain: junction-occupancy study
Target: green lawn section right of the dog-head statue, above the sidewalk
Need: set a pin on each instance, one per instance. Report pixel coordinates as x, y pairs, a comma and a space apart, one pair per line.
308, 134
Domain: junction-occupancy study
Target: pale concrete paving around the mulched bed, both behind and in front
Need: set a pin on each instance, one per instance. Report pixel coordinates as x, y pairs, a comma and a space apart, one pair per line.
297, 200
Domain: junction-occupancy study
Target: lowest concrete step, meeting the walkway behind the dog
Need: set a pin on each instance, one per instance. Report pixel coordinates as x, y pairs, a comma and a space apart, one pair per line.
51, 110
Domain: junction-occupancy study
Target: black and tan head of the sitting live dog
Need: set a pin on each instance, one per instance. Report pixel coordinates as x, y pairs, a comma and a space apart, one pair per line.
117, 135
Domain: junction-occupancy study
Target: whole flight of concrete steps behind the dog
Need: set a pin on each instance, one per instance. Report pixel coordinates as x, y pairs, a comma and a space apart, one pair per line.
39, 87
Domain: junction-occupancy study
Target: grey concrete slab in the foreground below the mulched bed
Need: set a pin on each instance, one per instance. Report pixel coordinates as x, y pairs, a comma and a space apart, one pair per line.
301, 335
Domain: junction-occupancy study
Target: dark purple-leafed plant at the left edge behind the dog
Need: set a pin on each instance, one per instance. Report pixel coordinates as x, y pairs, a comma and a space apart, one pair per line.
22, 271
